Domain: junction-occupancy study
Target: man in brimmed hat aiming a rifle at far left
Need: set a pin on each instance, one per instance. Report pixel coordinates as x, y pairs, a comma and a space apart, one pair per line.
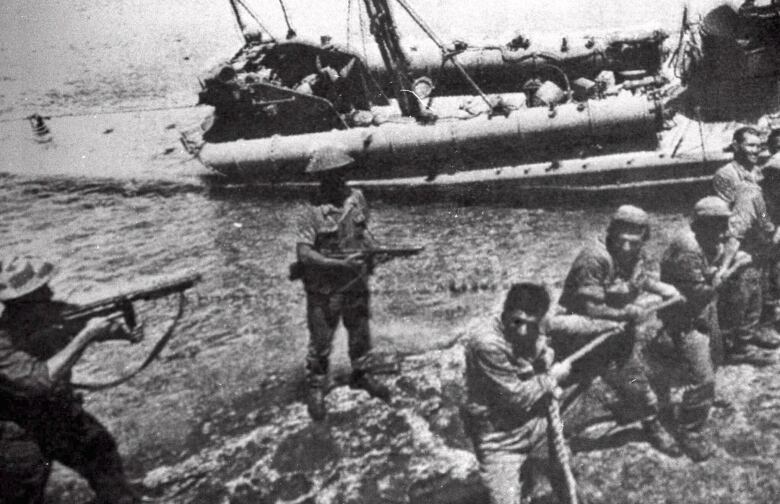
42, 419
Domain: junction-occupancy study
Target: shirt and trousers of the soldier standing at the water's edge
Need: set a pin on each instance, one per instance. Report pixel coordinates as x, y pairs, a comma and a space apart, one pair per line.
333, 294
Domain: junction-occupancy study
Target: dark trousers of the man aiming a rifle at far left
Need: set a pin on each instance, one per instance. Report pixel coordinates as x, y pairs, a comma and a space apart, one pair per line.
64, 432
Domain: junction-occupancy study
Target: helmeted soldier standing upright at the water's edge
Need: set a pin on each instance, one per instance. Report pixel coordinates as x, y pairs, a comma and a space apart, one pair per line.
336, 288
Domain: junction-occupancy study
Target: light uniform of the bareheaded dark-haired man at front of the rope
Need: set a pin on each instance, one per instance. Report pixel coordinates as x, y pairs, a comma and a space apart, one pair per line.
505, 412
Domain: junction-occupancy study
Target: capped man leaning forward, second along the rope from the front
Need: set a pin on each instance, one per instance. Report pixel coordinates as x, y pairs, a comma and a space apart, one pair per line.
600, 293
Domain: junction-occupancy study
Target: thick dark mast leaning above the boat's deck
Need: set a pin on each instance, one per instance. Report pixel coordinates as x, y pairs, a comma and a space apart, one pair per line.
386, 36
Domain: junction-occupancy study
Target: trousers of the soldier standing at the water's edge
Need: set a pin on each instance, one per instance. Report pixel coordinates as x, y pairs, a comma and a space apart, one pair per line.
323, 313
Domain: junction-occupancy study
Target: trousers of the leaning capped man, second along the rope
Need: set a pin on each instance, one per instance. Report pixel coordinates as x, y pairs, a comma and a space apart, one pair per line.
617, 362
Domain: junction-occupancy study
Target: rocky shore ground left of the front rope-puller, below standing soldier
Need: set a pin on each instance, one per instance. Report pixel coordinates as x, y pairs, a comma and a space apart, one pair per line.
413, 450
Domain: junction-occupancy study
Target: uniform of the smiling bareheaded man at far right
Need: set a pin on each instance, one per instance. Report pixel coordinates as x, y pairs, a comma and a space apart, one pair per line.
741, 301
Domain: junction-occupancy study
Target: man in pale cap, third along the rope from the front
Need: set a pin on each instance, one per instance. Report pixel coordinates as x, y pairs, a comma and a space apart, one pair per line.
689, 264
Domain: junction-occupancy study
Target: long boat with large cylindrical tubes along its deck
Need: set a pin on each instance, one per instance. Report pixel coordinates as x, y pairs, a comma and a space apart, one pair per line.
593, 113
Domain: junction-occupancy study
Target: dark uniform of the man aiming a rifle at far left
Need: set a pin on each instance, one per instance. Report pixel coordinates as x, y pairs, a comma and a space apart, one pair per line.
42, 421
